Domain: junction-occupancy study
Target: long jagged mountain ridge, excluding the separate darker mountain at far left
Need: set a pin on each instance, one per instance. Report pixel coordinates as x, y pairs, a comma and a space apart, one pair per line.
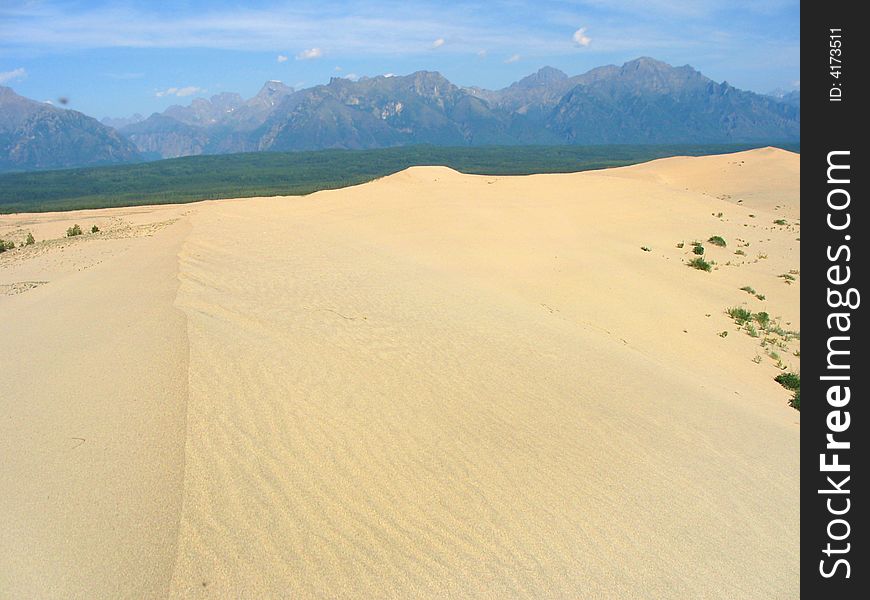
643, 101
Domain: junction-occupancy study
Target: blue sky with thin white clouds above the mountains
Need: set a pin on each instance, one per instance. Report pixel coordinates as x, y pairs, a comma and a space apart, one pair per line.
113, 58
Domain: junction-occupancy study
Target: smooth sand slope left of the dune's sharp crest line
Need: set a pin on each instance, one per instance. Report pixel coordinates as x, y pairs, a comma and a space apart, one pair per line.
94, 382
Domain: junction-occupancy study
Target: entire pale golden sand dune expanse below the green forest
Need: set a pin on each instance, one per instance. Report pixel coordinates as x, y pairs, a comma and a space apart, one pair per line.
433, 385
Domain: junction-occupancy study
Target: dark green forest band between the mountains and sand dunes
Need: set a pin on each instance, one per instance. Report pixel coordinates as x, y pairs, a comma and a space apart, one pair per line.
295, 173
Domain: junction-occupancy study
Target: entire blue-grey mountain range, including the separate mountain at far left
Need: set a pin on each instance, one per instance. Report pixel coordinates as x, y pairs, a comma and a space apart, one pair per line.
644, 101
